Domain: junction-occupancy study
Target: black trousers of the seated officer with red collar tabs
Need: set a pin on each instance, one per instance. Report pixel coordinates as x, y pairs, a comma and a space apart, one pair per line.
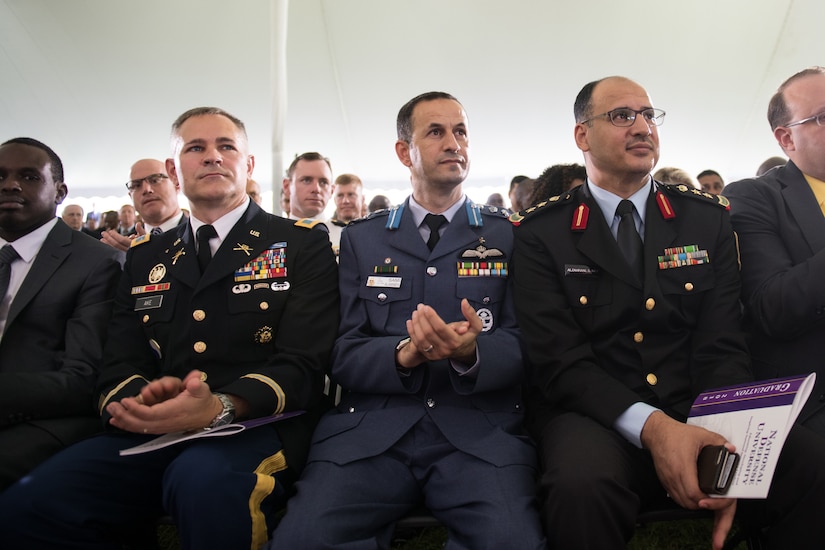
594, 483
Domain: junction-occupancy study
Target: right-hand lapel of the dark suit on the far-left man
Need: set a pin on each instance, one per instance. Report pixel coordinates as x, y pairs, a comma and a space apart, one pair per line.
56, 248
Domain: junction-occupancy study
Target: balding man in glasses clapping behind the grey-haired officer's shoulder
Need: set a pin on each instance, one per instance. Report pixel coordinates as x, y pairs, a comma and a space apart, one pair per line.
155, 197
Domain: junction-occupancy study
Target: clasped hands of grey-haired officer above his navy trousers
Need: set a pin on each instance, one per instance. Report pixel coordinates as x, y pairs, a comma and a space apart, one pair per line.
166, 405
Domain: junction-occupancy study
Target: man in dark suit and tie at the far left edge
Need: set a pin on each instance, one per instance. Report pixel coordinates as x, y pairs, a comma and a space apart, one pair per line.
56, 301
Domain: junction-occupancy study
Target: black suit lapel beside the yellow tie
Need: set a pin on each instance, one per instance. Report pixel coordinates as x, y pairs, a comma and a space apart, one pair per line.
802, 205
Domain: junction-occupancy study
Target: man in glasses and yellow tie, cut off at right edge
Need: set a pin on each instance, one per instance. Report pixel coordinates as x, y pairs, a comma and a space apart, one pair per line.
781, 227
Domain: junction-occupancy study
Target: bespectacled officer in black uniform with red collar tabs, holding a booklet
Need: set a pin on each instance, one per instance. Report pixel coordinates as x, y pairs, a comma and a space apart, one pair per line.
620, 347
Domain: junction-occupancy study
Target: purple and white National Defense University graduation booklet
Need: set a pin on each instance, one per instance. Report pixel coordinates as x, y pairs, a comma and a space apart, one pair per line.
756, 417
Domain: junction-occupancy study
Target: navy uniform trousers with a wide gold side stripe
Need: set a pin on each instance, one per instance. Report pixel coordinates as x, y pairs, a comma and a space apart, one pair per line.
221, 491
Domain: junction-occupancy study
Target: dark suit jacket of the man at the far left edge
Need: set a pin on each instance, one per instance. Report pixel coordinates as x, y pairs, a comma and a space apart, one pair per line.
55, 330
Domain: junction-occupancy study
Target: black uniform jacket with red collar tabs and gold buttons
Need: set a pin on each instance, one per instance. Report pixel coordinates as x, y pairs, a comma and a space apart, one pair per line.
599, 341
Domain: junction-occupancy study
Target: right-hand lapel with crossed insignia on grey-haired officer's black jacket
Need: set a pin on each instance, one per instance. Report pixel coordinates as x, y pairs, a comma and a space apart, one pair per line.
245, 241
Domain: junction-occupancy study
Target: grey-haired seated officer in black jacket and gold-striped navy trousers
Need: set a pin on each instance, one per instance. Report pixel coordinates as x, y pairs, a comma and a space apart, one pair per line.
197, 342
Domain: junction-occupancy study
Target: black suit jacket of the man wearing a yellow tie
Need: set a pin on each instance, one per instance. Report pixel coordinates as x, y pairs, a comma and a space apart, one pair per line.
781, 233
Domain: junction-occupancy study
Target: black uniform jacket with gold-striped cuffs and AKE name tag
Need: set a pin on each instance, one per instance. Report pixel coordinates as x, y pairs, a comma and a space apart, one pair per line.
267, 339
